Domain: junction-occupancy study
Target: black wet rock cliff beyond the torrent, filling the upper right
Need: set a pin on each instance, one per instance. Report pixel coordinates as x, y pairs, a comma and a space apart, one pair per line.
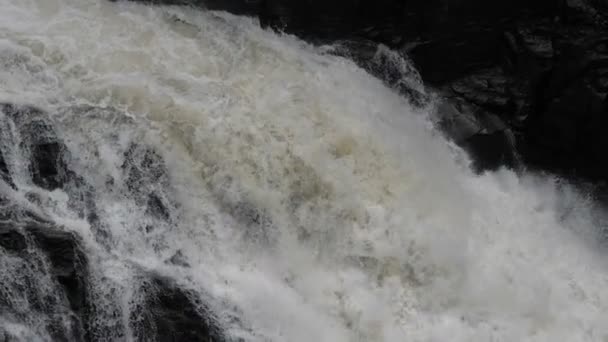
537, 66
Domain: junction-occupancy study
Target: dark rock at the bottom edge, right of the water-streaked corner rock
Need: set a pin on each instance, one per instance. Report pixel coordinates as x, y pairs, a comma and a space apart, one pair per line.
169, 313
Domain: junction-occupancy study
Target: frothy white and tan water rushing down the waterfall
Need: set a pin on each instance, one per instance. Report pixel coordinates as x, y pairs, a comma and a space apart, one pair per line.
371, 226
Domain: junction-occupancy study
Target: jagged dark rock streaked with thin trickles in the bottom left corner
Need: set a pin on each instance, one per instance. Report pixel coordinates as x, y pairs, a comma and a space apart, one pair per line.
33, 243
